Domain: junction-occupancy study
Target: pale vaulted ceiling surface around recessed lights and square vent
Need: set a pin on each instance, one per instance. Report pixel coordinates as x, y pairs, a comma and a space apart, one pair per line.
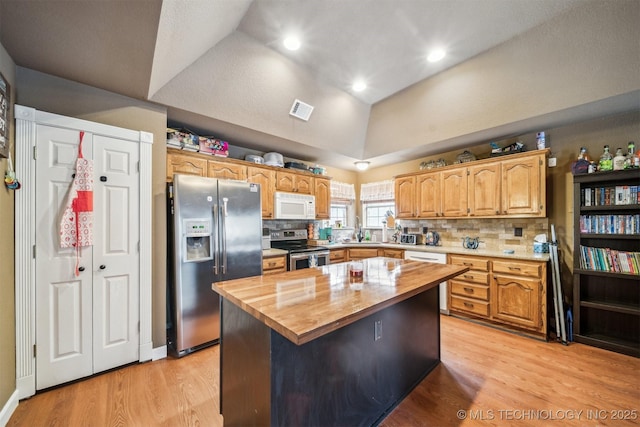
220, 68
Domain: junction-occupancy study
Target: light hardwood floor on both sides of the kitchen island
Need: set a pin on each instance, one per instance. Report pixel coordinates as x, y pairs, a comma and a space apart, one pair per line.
487, 377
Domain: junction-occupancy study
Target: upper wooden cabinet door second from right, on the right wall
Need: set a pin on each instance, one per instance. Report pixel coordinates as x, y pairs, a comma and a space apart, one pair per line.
484, 190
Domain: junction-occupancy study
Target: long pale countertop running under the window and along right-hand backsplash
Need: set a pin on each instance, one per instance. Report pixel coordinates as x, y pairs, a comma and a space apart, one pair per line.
522, 255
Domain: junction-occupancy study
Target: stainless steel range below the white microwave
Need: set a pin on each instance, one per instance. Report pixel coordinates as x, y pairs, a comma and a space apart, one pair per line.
301, 255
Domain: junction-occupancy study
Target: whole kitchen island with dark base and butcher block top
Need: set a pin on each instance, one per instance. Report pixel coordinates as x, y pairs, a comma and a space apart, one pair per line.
321, 347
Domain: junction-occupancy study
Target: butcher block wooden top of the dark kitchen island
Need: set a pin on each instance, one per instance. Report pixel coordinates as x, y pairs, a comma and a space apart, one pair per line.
303, 305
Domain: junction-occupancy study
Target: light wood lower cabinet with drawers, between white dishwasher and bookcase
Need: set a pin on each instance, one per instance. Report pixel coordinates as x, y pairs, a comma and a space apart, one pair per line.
501, 291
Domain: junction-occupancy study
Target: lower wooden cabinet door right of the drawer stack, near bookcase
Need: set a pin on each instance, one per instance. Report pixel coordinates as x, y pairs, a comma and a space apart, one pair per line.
516, 300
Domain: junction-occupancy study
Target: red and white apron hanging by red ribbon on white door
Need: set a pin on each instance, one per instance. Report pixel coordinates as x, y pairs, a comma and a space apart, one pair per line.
76, 226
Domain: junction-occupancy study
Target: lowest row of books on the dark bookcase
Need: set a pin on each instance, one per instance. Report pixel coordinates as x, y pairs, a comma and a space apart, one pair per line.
609, 260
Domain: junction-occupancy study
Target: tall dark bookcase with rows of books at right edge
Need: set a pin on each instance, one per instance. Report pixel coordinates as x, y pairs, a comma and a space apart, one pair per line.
606, 281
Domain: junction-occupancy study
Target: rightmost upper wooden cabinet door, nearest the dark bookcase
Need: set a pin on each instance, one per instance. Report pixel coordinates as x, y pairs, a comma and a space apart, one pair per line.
522, 189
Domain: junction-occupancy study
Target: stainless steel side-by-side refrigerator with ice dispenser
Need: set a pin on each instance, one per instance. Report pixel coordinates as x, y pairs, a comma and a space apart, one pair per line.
215, 233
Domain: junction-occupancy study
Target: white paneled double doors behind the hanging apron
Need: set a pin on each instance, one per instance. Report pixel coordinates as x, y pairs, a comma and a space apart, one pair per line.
87, 323
